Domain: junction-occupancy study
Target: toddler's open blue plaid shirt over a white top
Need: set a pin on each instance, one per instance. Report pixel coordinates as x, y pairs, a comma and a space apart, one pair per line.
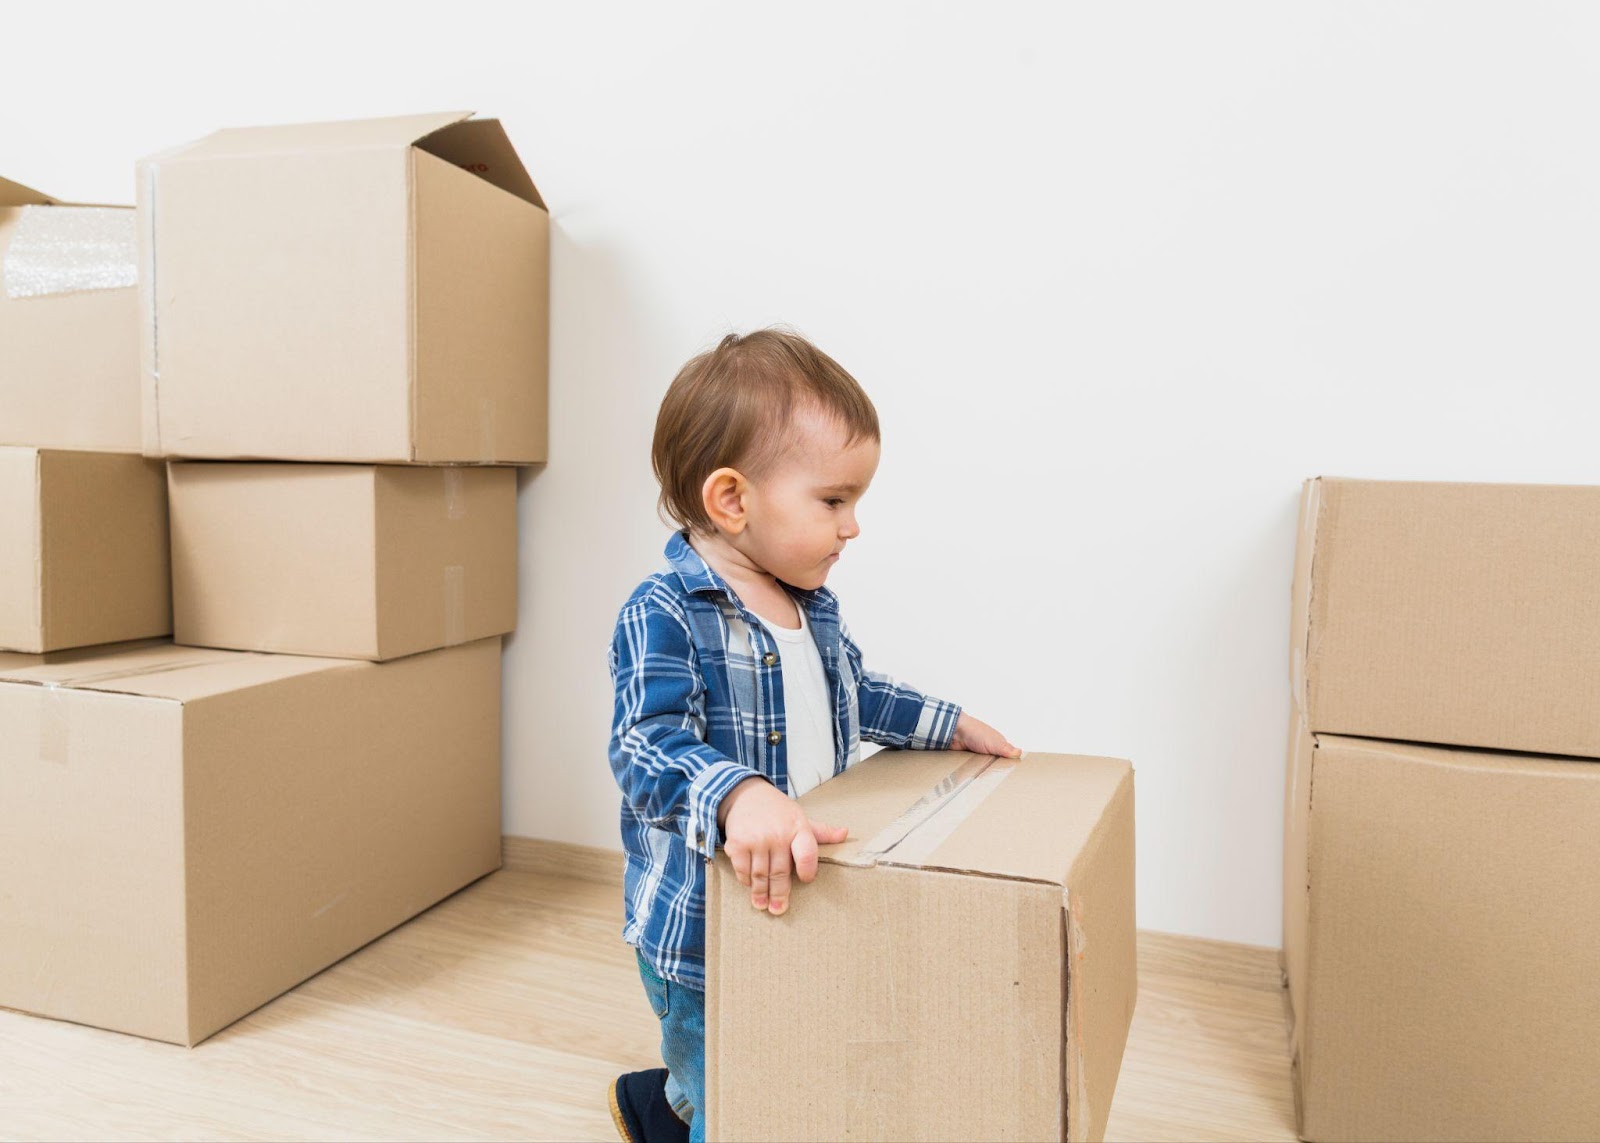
700, 708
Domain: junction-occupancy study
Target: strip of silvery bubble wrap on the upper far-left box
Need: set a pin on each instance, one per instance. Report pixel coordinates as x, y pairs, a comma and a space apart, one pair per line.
71, 249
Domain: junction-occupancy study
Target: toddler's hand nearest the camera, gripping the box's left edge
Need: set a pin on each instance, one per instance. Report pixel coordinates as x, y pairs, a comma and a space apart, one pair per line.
769, 838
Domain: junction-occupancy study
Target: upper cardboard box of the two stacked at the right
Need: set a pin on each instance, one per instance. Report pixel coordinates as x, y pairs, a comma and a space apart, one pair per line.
1458, 614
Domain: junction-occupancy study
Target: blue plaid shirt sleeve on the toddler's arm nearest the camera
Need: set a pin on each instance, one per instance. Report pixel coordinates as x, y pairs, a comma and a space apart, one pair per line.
670, 774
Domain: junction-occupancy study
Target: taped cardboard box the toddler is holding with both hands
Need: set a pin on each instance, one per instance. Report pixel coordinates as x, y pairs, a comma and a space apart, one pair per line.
962, 968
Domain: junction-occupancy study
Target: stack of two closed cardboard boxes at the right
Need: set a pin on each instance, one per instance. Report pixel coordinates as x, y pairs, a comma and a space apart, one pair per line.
1441, 812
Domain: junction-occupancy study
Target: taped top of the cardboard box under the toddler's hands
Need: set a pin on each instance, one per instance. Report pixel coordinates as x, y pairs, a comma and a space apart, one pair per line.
962, 812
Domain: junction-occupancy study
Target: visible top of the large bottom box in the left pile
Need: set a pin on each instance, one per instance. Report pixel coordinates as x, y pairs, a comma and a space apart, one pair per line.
167, 672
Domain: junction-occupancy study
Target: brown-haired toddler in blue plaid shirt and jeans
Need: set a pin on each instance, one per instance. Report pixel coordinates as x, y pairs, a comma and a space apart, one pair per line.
738, 688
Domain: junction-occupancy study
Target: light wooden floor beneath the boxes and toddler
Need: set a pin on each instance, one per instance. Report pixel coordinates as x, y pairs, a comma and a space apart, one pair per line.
505, 1011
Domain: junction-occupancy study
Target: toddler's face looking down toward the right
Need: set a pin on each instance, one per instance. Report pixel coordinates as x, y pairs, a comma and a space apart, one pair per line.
802, 511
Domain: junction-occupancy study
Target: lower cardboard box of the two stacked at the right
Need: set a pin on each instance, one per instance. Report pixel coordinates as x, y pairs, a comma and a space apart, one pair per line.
1441, 923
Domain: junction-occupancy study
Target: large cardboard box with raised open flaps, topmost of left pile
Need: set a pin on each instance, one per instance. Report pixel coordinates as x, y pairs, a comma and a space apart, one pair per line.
346, 292
